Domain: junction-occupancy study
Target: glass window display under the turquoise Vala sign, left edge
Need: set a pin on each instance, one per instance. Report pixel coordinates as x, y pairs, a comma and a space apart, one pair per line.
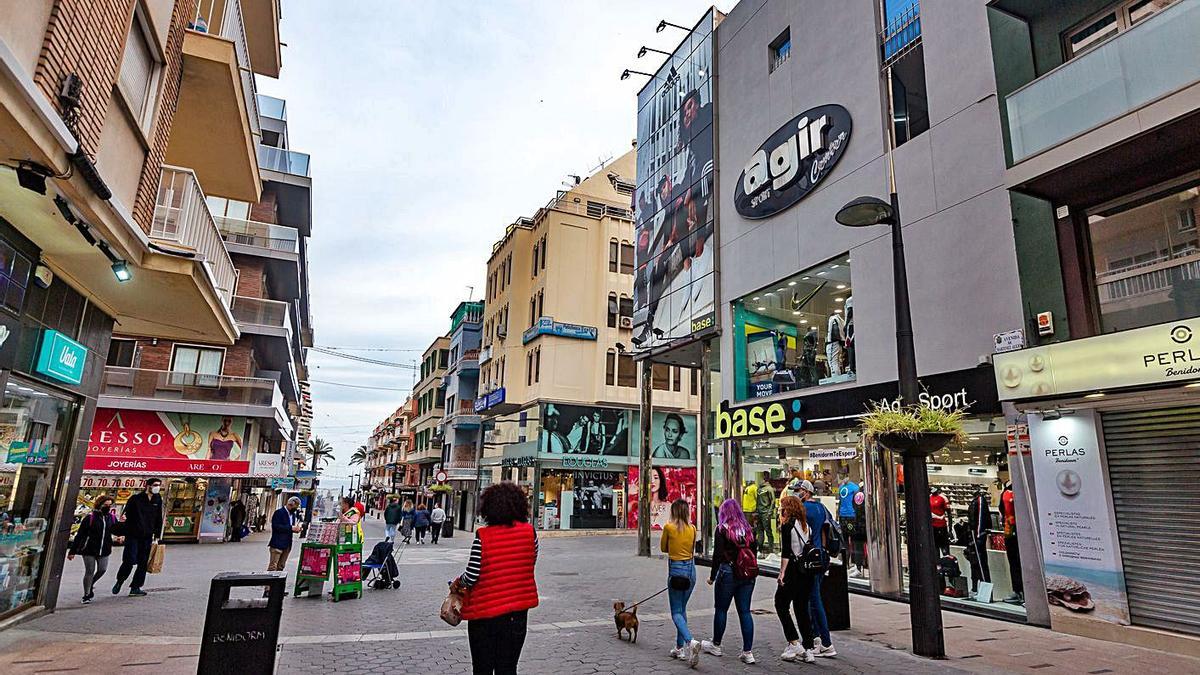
34, 427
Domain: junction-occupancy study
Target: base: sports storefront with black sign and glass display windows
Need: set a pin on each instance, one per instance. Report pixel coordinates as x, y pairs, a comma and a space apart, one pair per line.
814, 437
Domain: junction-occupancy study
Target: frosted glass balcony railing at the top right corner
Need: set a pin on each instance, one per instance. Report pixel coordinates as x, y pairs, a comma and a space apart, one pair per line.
1143, 64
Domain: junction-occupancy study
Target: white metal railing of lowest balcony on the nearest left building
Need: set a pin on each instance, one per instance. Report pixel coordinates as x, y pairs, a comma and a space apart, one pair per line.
182, 217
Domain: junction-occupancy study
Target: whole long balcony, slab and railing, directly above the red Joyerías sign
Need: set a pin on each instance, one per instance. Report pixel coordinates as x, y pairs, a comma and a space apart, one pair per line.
188, 392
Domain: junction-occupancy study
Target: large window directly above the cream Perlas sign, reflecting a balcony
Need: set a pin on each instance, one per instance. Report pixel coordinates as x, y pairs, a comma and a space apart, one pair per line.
1147, 256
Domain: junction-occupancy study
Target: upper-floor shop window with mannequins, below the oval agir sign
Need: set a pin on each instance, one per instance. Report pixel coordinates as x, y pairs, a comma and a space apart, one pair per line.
796, 333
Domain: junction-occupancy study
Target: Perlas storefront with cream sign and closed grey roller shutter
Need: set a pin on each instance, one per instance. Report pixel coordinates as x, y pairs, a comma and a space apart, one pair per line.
1114, 455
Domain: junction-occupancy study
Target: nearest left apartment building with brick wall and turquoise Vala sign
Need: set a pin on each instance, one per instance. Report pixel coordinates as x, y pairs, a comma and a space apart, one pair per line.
99, 103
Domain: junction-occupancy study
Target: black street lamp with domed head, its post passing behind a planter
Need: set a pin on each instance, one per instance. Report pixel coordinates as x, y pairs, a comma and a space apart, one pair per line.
926, 607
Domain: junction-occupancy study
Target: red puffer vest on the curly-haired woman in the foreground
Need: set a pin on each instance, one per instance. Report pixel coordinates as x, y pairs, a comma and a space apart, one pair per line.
506, 574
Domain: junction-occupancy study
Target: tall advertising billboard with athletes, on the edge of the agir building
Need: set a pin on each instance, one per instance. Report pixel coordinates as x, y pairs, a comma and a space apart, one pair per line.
675, 211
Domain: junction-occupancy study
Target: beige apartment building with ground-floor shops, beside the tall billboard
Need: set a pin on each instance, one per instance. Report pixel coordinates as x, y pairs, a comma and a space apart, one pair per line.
559, 384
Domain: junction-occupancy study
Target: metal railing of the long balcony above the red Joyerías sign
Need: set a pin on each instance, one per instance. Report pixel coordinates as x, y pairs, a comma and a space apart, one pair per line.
163, 385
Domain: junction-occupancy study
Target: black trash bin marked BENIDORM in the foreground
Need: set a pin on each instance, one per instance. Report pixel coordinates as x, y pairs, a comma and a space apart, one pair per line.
242, 635
